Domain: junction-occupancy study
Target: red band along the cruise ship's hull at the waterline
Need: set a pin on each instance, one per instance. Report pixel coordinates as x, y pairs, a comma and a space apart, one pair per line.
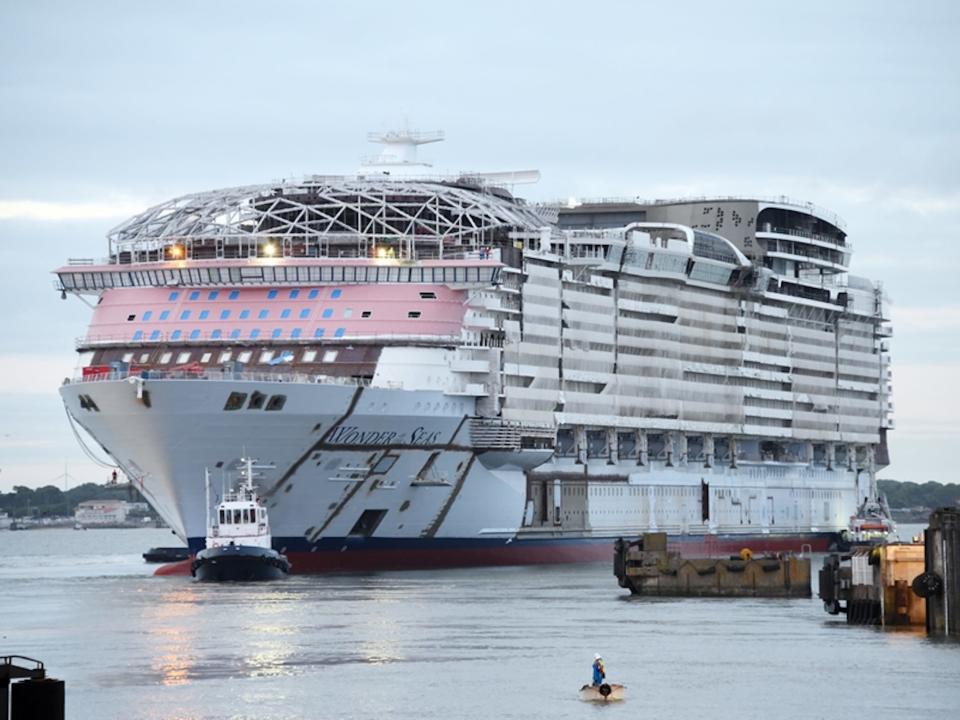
520, 553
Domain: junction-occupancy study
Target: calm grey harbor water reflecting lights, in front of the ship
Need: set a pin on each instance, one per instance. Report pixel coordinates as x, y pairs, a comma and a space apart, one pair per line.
477, 643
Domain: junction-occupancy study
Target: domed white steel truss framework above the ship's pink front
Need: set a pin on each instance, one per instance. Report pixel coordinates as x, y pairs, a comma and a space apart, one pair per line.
322, 216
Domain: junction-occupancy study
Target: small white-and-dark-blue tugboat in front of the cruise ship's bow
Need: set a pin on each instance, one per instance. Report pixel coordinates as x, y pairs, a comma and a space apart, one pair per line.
238, 537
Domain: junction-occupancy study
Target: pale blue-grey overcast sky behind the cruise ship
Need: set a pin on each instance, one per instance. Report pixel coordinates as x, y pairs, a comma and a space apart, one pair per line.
109, 107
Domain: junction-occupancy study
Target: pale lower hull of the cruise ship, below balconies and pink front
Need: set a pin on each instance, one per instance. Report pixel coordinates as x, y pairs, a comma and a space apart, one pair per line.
342, 498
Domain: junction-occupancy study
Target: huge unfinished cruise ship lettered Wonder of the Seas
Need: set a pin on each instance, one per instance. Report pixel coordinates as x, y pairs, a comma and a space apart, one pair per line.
439, 373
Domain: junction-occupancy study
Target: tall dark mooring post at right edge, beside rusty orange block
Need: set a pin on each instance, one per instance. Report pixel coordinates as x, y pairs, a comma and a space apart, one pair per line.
942, 560
